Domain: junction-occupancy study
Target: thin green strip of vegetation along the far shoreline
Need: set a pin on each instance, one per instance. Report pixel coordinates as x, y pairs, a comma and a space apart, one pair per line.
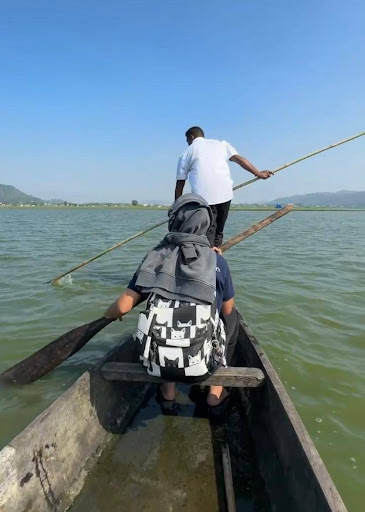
234, 207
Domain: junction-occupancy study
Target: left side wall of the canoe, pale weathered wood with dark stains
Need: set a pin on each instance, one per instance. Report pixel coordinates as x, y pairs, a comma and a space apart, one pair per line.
44, 467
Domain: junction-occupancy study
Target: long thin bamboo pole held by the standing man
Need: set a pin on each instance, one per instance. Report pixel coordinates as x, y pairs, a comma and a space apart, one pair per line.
140, 233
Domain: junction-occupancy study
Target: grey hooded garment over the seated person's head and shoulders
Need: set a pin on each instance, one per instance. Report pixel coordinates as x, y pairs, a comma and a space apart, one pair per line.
182, 266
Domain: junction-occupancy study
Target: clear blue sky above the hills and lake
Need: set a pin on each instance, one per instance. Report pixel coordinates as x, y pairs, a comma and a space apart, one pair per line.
96, 95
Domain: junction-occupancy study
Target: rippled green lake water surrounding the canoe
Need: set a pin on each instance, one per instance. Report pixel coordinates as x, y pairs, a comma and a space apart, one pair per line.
300, 284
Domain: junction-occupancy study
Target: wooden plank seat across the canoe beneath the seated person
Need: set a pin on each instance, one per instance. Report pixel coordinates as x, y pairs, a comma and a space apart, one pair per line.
230, 376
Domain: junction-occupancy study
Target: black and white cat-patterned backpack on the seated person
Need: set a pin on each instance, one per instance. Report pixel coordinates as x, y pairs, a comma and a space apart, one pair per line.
180, 341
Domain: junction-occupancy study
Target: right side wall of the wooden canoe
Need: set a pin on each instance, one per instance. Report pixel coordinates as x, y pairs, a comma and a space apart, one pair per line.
295, 476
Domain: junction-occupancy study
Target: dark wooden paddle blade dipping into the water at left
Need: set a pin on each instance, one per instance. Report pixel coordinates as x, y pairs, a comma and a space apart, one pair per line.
53, 354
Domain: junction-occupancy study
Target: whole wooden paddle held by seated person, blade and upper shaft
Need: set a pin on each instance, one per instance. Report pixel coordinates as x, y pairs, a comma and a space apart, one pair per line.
47, 358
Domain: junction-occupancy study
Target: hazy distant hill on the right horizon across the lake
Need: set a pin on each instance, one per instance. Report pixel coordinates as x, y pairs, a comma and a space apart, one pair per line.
345, 198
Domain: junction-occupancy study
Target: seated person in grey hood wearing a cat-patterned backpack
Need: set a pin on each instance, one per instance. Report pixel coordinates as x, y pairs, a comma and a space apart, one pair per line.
189, 289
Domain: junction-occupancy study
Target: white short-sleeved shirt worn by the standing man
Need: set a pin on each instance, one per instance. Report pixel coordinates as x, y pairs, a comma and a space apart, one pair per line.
205, 163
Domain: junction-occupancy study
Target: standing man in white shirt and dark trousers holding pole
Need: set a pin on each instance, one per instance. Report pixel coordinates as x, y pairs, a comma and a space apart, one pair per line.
205, 162
